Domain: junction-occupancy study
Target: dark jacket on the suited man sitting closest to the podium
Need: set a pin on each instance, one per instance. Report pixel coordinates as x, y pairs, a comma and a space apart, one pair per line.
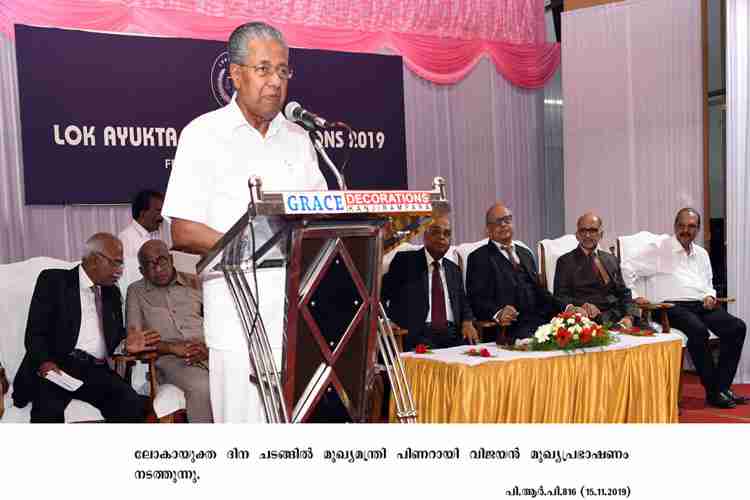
406, 294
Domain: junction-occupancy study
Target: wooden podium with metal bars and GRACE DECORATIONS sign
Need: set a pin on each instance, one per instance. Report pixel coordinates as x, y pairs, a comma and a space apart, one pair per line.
331, 243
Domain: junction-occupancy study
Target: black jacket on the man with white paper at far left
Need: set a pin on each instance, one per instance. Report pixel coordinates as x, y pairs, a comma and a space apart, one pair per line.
54, 322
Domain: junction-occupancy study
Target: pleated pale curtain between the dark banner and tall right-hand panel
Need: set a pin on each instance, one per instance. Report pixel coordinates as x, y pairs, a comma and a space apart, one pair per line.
486, 137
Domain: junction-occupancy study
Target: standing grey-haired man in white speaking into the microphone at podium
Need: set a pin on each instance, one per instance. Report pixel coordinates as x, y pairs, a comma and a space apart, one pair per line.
208, 191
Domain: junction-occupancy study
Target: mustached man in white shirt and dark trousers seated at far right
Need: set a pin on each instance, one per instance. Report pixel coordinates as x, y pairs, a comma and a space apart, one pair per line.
680, 272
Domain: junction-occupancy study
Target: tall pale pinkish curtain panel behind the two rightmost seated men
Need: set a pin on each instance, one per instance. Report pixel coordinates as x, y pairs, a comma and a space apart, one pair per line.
633, 121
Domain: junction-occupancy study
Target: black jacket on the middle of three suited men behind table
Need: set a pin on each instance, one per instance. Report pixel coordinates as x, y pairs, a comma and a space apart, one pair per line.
491, 283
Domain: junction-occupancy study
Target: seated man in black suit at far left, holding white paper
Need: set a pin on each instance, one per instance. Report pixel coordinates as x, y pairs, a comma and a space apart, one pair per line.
75, 322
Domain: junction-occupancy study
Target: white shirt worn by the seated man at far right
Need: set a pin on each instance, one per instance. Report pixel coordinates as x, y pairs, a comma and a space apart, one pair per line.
673, 273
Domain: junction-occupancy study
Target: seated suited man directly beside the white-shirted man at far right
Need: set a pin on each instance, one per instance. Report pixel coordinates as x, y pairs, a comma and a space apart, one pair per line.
591, 279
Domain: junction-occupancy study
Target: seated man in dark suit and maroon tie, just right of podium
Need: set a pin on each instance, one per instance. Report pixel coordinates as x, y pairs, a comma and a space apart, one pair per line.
425, 293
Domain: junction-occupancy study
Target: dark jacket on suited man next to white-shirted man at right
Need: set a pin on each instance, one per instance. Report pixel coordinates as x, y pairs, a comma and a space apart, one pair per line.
567, 270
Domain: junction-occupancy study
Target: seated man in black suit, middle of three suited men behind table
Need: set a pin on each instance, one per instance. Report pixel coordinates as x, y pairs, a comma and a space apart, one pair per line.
502, 283
